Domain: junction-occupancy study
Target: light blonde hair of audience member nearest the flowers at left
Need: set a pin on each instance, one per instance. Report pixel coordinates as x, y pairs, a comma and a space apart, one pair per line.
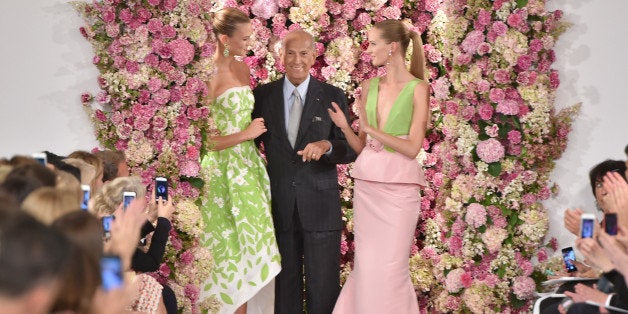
107, 200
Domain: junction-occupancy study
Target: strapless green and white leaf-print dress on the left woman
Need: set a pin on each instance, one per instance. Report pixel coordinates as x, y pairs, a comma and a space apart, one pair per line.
236, 209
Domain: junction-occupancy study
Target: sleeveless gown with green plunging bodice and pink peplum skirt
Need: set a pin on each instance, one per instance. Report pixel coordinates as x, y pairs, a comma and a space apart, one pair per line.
386, 209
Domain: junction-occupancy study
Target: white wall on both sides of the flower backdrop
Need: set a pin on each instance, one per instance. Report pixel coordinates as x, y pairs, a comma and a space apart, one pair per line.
45, 65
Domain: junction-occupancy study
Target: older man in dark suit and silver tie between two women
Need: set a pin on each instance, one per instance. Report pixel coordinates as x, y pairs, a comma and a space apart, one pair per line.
302, 147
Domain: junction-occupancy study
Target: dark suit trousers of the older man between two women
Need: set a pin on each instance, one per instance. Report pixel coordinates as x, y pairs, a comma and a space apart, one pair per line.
315, 254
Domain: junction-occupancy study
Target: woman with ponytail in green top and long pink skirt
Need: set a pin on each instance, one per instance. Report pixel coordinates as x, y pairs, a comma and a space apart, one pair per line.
393, 119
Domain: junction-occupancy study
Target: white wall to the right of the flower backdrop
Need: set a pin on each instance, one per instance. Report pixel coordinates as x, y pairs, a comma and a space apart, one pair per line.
590, 58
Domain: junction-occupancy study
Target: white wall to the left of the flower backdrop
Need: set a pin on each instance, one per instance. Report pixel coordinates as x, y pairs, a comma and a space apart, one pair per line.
45, 65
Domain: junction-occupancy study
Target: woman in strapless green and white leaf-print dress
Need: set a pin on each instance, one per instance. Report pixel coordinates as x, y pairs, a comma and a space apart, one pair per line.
236, 205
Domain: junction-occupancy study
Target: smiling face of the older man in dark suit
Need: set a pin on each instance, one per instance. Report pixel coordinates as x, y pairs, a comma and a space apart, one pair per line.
297, 57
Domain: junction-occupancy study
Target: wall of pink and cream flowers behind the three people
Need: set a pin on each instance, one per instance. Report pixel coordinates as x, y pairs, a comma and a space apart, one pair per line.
488, 156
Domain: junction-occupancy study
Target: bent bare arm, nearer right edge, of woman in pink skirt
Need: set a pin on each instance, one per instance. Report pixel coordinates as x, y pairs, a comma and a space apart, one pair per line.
411, 146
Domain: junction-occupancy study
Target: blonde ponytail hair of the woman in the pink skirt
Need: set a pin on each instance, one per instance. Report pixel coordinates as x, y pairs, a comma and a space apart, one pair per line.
396, 31
